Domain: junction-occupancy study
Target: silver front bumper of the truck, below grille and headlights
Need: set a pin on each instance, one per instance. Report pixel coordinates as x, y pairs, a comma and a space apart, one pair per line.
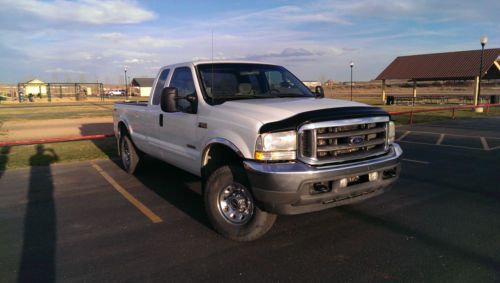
289, 188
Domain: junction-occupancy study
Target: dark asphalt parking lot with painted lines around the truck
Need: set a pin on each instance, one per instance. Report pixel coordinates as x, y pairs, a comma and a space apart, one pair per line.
91, 221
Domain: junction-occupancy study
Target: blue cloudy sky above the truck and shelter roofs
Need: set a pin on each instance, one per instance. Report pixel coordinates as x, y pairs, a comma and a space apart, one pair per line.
93, 40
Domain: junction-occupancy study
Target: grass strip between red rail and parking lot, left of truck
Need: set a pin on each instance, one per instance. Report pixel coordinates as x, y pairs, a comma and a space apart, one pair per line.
45, 154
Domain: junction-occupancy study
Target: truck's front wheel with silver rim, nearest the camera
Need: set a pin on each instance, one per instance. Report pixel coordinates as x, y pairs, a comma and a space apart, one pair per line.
231, 208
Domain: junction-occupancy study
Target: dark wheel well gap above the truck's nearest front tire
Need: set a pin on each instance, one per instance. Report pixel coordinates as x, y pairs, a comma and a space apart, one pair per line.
217, 155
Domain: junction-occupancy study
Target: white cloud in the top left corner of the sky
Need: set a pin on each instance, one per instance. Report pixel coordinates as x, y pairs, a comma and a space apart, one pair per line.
96, 12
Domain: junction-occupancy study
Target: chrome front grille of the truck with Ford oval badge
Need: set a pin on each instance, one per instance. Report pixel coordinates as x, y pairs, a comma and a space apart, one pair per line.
343, 140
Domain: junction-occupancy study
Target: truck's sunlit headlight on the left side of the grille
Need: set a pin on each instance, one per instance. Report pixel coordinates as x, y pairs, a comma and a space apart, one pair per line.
276, 146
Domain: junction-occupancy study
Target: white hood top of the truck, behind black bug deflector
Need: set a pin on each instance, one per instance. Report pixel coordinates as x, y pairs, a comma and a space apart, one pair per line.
276, 109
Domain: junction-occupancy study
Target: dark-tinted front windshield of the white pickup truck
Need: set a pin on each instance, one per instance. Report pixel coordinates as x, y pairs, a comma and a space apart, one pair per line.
231, 81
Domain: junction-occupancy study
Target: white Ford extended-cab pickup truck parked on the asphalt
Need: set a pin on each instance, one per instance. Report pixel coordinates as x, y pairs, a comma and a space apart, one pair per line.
261, 141
